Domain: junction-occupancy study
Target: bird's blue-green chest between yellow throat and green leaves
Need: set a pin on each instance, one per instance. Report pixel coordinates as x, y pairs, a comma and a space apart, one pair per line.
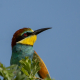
20, 52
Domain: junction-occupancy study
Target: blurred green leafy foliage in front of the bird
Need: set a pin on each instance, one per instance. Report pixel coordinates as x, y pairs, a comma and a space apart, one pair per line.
26, 71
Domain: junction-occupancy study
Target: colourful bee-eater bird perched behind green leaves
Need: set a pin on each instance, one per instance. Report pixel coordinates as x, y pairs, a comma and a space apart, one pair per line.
22, 46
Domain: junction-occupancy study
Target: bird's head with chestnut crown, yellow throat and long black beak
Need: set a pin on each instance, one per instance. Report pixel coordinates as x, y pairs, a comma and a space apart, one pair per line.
26, 36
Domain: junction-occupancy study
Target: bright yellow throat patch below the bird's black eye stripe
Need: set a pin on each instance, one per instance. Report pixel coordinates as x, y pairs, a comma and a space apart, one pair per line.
28, 40
